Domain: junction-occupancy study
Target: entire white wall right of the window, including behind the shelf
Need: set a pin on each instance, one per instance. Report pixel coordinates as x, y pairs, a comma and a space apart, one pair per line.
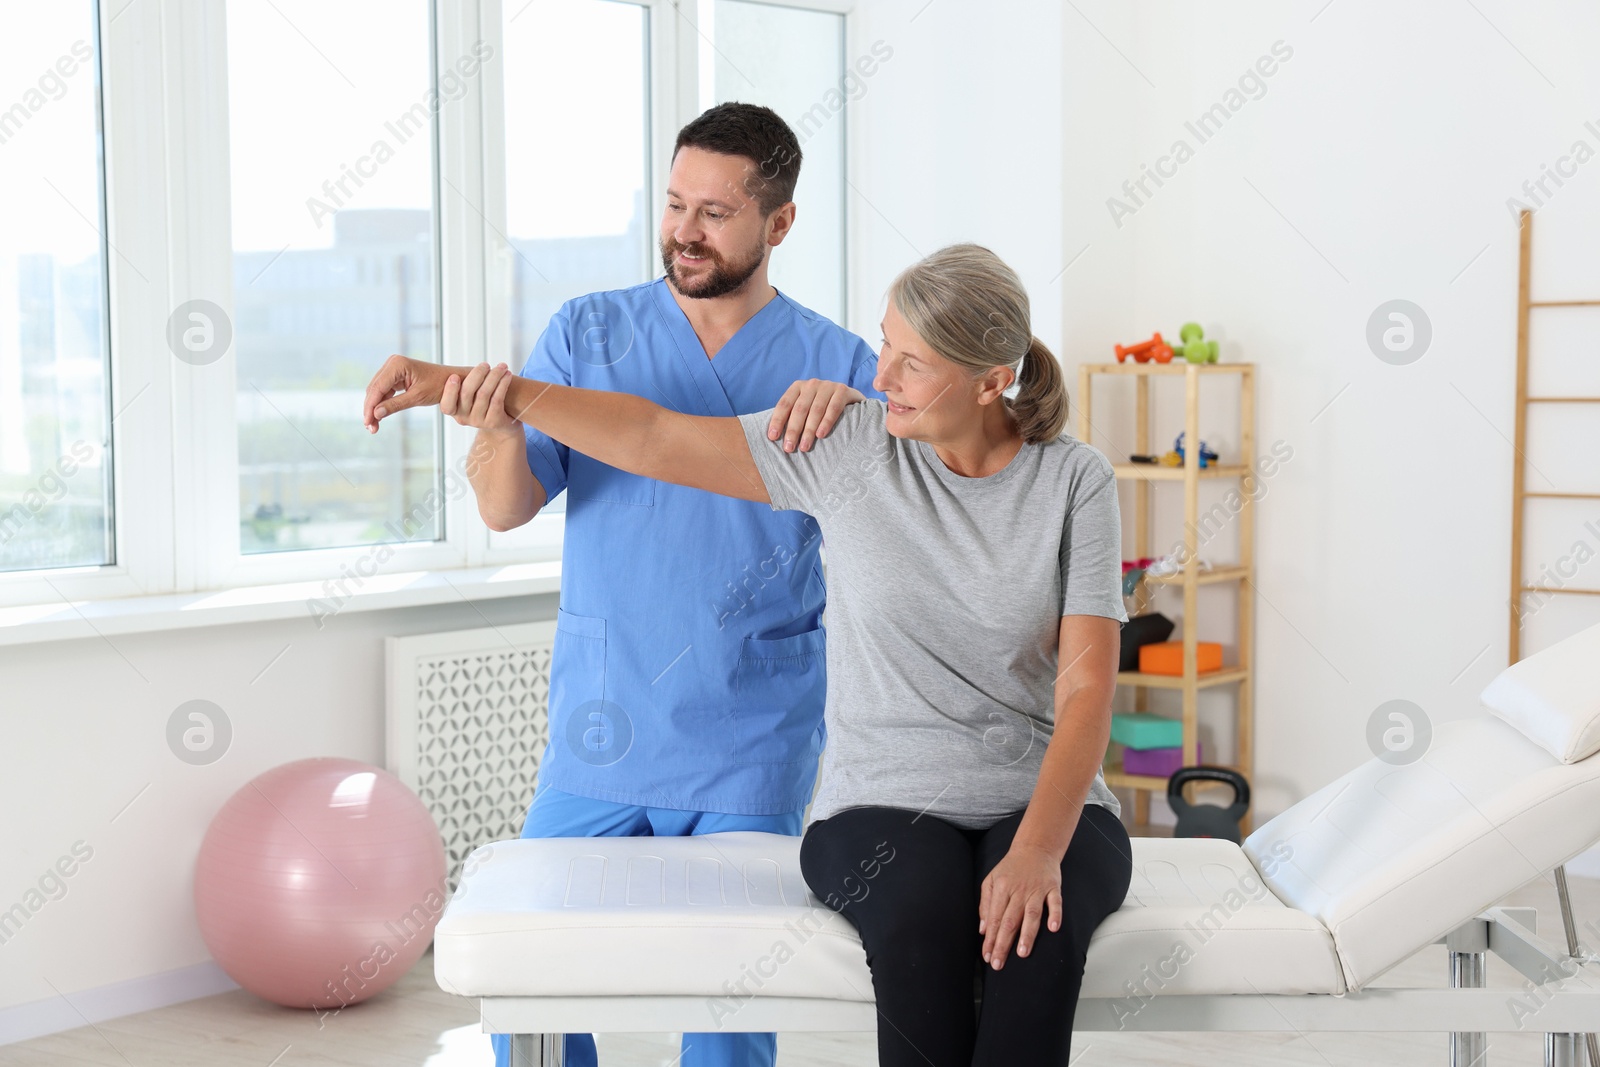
1375, 166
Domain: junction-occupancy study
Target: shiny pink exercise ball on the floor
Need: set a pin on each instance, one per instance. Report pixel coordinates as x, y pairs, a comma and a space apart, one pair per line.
319, 884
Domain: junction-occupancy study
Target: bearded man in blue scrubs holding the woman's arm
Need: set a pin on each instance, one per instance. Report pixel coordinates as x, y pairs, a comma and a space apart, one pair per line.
687, 679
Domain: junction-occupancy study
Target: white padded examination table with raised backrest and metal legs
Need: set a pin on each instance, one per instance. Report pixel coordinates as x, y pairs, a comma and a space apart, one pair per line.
1284, 933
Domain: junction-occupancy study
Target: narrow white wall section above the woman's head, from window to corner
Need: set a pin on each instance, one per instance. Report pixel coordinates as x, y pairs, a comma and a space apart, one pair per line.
958, 140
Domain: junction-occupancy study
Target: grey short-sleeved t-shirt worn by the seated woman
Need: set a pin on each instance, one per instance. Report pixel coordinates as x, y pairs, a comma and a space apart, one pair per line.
945, 602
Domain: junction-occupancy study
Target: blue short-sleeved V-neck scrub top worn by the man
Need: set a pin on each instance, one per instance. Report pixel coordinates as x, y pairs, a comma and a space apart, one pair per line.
689, 668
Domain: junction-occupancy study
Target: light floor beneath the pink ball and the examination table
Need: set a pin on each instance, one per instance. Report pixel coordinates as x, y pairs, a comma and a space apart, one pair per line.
414, 1025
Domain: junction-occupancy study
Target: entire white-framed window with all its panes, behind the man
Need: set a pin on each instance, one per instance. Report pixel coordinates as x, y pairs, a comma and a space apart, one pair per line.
207, 262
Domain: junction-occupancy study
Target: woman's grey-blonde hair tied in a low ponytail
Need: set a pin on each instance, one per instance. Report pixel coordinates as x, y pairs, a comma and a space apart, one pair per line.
972, 310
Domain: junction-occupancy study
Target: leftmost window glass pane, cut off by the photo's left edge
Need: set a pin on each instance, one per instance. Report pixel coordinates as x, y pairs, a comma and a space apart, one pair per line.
55, 471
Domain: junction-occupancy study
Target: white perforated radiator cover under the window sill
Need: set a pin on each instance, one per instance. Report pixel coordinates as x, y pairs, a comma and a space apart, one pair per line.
468, 721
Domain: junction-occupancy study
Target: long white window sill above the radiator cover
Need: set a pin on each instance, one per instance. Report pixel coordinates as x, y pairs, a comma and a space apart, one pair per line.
33, 625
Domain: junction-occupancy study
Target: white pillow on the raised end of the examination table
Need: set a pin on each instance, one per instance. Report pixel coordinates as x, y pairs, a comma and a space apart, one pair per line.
1554, 697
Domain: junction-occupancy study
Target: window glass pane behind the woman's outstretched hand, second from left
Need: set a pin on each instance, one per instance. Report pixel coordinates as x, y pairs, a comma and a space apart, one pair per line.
335, 263
